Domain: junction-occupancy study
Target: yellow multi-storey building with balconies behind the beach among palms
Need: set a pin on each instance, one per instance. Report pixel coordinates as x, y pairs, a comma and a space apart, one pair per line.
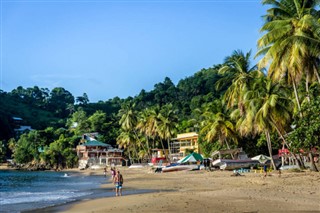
184, 143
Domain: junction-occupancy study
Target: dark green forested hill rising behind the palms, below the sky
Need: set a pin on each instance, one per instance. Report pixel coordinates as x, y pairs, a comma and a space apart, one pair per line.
41, 108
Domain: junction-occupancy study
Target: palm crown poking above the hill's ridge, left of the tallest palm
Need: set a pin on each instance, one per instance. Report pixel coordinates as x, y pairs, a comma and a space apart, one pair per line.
237, 72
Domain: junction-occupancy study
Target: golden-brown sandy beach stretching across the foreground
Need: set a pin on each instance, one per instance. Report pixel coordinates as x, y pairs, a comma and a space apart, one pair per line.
216, 191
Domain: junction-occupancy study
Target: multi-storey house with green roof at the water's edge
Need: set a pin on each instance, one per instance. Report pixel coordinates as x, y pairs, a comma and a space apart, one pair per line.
92, 152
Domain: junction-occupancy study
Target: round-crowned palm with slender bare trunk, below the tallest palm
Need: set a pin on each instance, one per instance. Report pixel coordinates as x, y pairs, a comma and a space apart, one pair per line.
269, 108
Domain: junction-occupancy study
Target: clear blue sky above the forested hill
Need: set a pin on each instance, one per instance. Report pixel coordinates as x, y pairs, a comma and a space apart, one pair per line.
117, 48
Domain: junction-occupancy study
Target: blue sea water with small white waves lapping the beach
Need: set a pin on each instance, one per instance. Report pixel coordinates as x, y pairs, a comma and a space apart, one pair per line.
26, 191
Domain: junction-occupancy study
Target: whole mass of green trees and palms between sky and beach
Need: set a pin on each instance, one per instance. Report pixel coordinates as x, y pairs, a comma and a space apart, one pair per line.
258, 107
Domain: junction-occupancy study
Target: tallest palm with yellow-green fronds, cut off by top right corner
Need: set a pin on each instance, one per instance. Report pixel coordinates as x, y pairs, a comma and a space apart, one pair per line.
291, 44
